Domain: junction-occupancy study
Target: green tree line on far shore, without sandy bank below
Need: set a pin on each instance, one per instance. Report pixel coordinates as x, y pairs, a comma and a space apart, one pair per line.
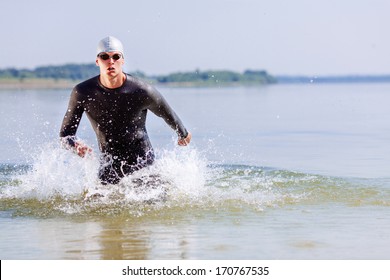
78, 72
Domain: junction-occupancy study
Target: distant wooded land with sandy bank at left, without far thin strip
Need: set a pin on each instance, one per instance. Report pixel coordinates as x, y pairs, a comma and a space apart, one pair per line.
70, 74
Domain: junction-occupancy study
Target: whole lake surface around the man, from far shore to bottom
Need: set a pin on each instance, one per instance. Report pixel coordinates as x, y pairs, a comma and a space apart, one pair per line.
273, 172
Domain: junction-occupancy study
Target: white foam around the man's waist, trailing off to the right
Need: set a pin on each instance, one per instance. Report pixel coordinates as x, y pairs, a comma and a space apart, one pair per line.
180, 177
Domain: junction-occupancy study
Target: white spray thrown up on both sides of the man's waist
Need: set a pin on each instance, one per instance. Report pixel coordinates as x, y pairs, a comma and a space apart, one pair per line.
58, 172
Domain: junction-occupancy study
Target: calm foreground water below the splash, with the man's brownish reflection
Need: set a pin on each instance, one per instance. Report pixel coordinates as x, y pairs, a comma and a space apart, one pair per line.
294, 232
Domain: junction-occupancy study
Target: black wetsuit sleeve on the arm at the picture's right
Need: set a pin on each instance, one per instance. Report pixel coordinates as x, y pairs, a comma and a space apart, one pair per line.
159, 106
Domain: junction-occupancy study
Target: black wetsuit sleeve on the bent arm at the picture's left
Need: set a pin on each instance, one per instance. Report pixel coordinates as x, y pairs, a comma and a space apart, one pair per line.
71, 119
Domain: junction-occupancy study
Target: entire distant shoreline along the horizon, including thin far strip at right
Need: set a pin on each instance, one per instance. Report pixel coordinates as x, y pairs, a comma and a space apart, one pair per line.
67, 75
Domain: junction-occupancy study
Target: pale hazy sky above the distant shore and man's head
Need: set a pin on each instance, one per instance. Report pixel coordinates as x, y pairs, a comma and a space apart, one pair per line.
283, 37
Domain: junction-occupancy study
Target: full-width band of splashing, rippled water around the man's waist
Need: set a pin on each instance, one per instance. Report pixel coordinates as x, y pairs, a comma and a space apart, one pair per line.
59, 182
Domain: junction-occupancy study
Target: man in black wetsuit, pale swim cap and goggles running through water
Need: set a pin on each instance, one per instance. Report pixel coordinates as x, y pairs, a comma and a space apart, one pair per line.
116, 105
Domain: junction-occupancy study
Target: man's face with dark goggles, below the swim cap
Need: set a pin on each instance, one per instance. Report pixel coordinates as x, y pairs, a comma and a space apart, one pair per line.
110, 63
